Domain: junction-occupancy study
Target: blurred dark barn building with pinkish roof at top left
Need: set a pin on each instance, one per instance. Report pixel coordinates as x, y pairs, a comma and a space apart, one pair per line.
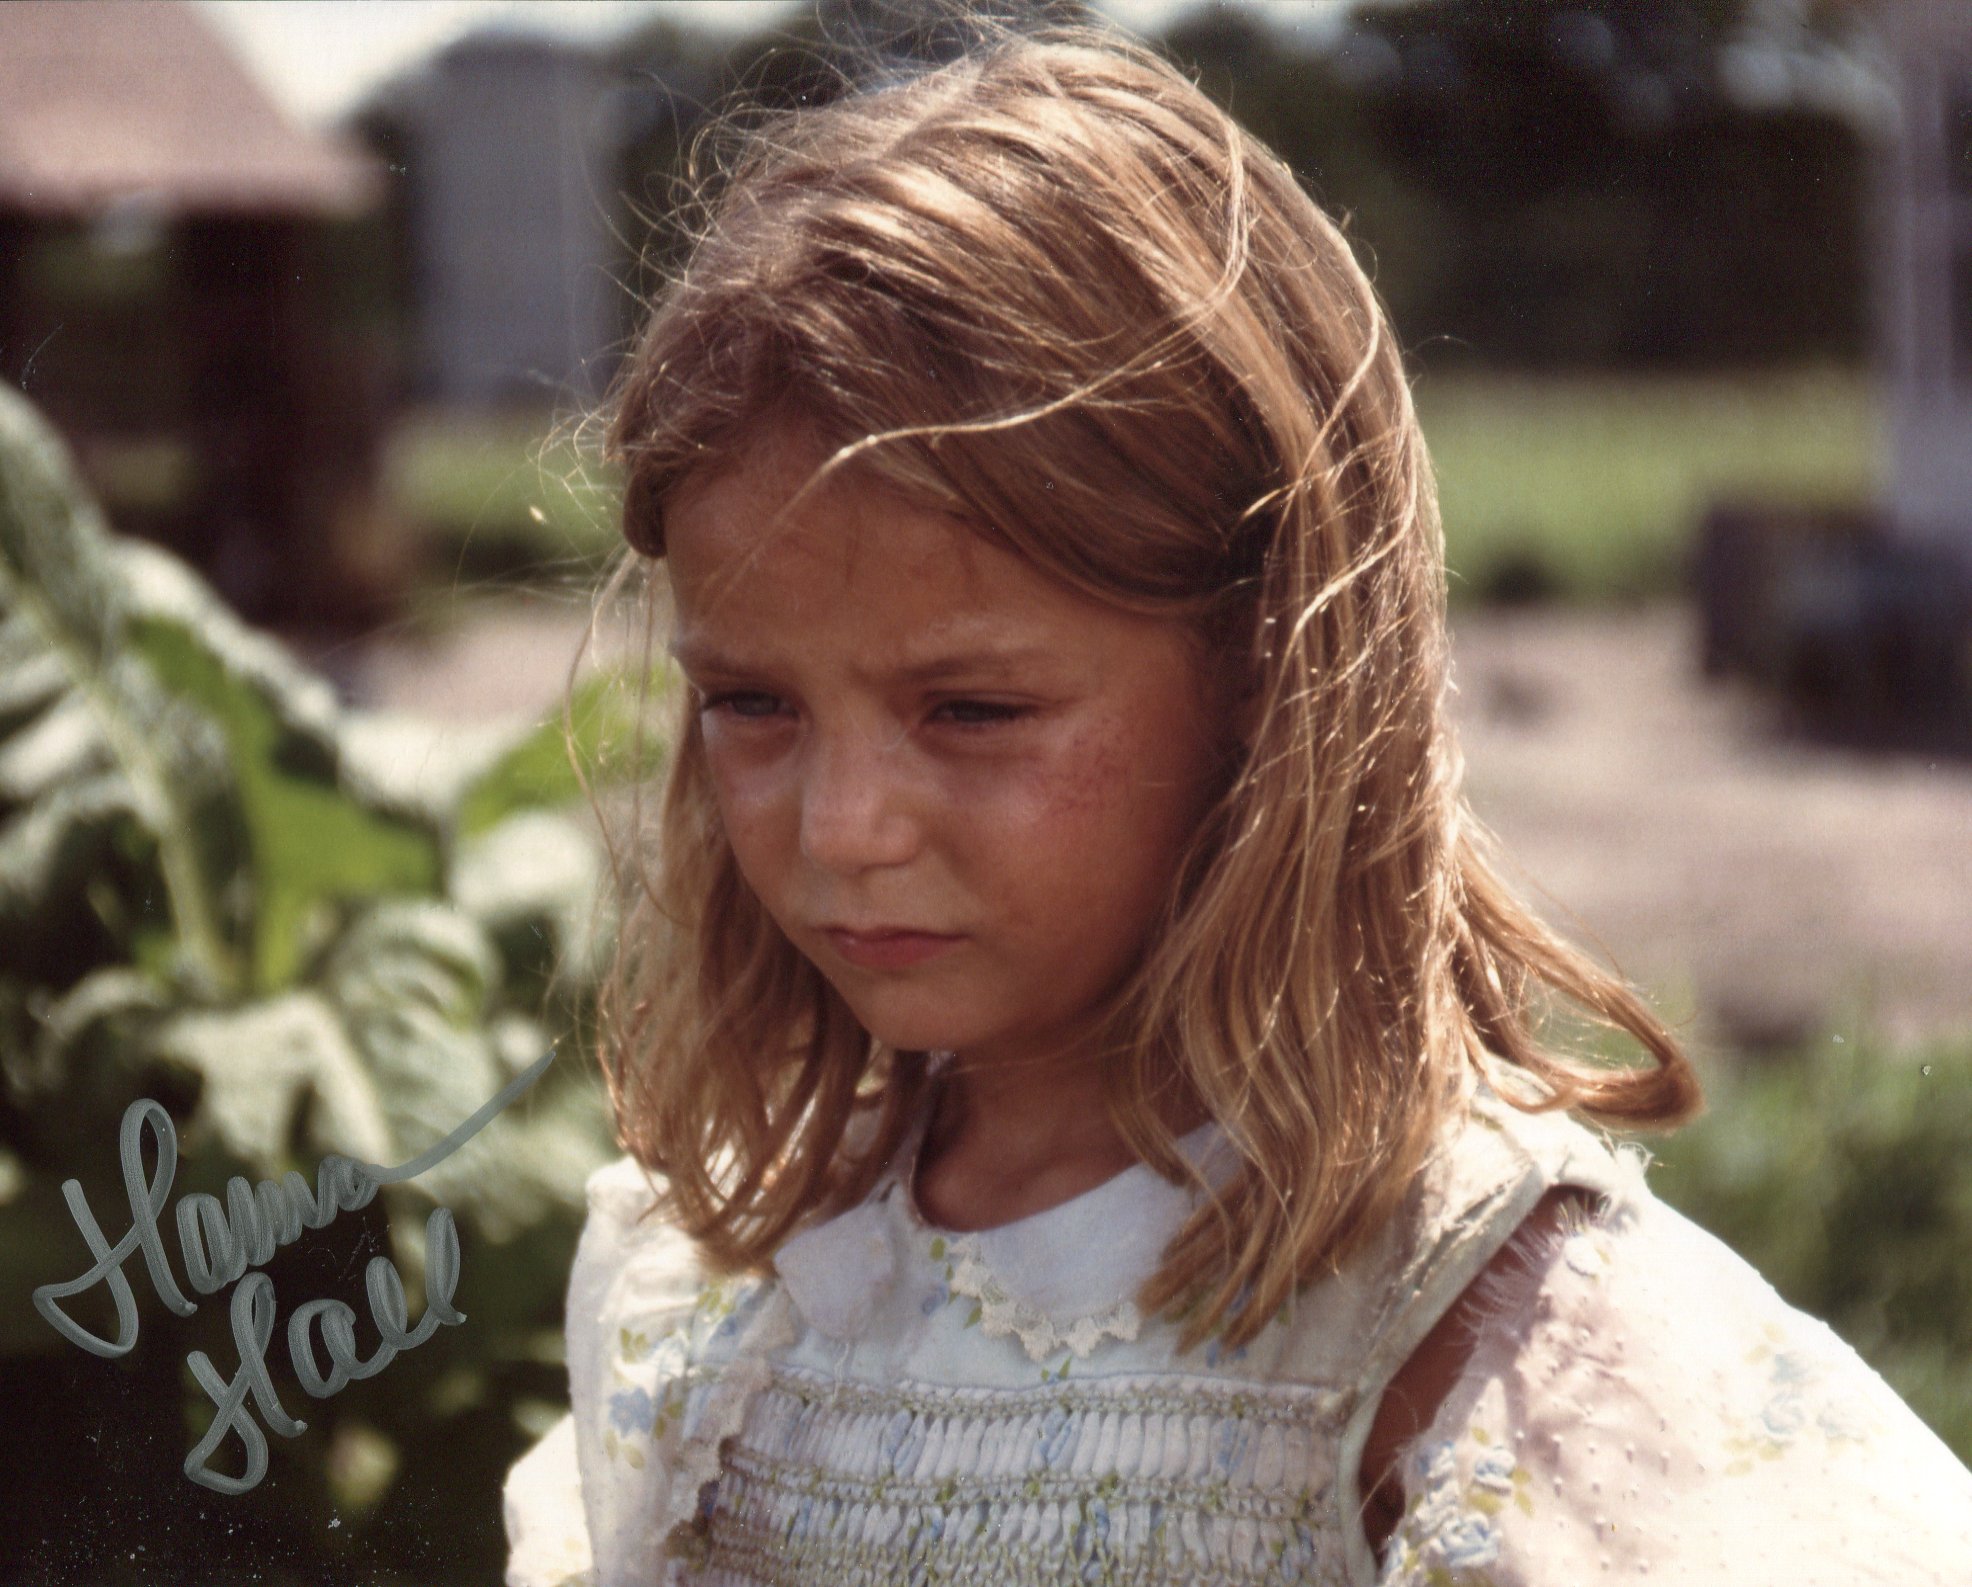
182, 291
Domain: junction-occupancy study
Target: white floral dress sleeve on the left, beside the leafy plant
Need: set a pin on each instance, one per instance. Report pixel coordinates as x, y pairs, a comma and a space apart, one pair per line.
632, 1278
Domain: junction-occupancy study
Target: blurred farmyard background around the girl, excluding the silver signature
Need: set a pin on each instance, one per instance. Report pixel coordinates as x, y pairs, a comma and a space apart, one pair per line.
303, 310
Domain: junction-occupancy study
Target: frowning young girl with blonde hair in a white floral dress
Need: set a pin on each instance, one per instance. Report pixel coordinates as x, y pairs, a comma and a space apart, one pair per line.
1078, 1064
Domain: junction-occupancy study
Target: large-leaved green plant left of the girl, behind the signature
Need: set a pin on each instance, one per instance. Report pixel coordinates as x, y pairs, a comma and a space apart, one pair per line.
220, 890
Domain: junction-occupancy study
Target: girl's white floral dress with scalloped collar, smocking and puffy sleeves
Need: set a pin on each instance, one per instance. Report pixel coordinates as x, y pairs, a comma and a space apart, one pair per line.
900, 1405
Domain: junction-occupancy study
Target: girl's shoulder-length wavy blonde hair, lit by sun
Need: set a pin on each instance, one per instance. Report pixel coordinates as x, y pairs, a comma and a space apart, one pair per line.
1054, 291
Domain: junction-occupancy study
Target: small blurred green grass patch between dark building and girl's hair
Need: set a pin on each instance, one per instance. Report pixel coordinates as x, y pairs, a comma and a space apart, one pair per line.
502, 498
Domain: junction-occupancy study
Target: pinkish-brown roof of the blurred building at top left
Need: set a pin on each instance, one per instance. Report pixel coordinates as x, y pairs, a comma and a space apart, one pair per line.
109, 103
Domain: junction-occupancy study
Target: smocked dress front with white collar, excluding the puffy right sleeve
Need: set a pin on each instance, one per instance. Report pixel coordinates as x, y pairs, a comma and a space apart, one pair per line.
908, 1405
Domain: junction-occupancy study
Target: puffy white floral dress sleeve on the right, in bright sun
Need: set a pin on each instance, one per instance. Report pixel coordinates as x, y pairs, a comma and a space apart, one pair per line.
1642, 1407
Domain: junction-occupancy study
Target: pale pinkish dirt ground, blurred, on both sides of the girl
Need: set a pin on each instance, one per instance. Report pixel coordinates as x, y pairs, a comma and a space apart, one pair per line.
1764, 890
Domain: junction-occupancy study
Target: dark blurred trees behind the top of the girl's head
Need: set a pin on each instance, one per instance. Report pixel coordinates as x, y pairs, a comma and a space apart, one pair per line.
1547, 184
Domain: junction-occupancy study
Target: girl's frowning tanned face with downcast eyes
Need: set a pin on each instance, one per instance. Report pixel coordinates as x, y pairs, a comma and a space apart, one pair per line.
914, 730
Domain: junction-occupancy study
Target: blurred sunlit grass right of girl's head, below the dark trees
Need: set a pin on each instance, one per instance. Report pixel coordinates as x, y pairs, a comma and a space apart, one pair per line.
1592, 490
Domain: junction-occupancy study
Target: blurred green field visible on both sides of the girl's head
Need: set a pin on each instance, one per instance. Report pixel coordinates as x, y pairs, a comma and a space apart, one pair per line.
1571, 490
